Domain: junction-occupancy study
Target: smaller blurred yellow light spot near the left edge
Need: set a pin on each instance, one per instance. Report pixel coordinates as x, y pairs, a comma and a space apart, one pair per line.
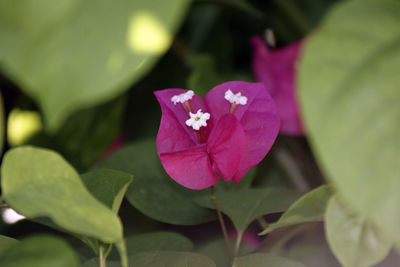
21, 125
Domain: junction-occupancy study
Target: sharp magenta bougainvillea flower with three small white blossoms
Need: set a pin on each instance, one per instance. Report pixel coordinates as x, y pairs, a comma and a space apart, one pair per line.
225, 134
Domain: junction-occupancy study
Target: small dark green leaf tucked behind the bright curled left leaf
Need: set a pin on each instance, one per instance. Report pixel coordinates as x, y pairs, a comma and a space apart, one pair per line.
108, 186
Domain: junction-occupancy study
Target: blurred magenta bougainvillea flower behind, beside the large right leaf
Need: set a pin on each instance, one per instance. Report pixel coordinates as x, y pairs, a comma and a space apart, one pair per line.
276, 69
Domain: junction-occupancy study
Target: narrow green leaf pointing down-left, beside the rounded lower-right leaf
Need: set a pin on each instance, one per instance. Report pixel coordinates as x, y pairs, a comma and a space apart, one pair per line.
309, 208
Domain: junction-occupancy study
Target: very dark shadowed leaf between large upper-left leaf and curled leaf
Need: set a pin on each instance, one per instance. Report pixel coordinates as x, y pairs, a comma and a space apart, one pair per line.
86, 134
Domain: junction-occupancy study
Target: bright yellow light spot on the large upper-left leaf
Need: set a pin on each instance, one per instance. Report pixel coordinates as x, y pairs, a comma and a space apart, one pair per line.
146, 34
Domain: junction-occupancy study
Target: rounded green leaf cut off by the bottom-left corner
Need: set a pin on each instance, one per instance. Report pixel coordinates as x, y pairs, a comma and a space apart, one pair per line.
39, 251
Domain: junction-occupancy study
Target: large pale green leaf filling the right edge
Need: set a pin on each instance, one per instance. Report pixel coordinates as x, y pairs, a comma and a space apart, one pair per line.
349, 90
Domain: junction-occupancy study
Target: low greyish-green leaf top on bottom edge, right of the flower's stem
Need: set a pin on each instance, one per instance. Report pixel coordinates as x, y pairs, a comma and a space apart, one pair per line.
263, 259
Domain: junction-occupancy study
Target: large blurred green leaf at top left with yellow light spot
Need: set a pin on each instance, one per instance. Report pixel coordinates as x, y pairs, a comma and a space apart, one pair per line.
71, 54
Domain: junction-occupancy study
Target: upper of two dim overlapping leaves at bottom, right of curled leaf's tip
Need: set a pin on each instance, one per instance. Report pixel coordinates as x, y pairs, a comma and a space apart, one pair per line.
156, 241
